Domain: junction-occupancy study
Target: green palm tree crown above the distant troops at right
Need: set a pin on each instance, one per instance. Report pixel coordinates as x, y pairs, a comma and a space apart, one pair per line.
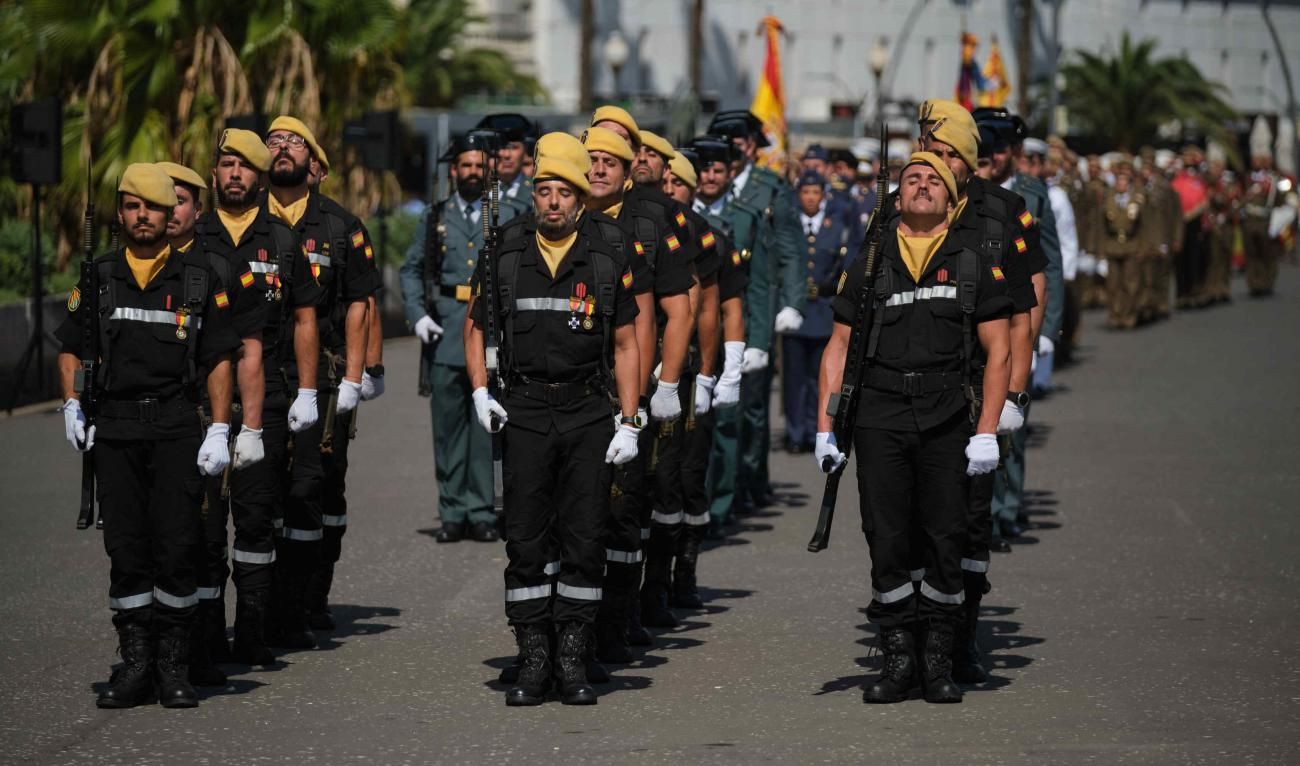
1129, 97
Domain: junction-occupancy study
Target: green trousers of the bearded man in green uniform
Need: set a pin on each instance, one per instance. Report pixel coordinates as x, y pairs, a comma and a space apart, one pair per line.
462, 449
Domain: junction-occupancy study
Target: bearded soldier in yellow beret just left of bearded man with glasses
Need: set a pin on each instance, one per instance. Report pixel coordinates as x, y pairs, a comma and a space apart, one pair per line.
265, 258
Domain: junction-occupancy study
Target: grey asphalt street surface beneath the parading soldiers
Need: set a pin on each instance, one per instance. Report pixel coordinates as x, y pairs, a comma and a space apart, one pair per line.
1150, 616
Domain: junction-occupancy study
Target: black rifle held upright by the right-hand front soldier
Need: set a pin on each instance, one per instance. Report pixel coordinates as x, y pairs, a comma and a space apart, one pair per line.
843, 406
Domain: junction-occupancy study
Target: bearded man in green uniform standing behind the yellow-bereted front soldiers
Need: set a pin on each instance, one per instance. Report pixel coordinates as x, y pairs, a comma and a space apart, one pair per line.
435, 293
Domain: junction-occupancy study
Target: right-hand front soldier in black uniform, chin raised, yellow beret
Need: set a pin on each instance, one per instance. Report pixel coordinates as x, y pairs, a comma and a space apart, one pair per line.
941, 315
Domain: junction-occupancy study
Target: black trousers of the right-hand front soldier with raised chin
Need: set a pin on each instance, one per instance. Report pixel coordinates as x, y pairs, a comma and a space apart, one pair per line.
915, 496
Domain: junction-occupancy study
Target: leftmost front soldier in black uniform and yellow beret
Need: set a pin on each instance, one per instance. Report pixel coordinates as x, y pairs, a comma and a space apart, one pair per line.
164, 327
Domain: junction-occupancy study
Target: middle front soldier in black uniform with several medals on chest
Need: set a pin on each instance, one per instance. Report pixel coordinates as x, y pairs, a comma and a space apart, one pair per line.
566, 311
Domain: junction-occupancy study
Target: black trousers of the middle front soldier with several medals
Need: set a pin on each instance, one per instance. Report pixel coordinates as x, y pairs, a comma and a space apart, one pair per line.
557, 509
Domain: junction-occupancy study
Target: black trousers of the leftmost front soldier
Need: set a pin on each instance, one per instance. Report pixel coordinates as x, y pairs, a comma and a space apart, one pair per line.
150, 494
